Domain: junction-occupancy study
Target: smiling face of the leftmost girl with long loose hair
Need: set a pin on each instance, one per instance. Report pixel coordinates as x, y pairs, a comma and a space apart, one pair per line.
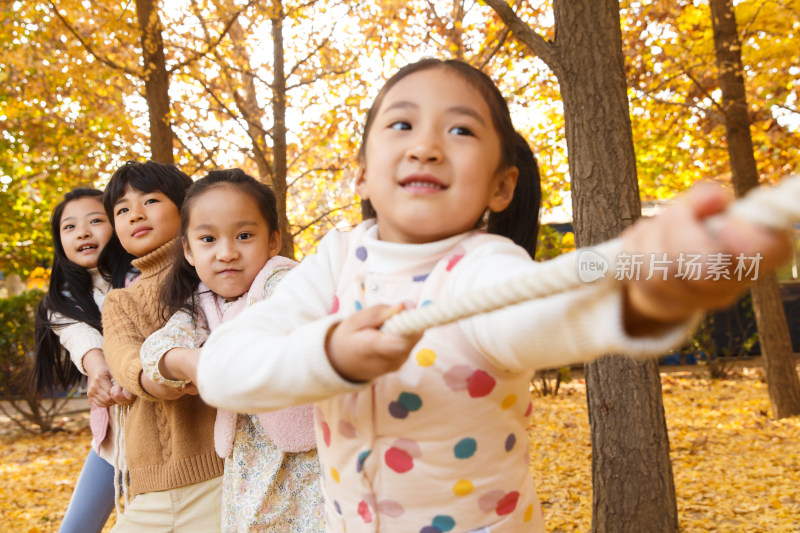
84, 230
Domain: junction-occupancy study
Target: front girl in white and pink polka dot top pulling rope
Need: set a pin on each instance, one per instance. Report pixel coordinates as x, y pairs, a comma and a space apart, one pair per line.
428, 433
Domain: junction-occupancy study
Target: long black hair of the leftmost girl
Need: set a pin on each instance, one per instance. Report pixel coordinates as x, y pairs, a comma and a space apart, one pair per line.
69, 294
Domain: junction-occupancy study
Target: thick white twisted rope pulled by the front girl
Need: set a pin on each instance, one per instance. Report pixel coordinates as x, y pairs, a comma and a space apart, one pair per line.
775, 207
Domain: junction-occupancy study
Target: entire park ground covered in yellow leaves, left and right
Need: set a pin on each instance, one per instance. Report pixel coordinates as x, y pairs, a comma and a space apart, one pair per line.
735, 468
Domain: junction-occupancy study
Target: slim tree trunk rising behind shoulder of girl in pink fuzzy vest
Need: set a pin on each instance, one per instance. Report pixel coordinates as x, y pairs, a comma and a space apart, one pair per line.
279, 169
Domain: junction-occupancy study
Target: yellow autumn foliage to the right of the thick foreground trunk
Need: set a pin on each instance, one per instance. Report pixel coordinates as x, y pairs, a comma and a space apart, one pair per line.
677, 115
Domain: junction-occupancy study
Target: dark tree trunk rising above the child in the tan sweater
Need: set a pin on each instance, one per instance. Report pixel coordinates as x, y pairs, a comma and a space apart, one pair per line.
156, 81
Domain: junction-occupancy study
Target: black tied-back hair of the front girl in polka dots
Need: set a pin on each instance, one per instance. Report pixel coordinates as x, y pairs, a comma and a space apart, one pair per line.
520, 220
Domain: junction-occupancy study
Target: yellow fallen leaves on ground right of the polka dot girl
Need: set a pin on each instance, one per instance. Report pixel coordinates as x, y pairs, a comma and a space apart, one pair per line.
735, 468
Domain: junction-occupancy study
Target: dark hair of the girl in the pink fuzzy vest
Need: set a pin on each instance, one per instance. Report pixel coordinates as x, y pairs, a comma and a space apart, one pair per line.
178, 291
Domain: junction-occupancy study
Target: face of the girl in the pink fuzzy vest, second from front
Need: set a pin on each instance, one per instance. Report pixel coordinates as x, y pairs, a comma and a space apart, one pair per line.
228, 240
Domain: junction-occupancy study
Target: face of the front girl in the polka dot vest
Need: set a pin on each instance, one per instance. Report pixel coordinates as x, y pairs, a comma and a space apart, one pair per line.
431, 164
